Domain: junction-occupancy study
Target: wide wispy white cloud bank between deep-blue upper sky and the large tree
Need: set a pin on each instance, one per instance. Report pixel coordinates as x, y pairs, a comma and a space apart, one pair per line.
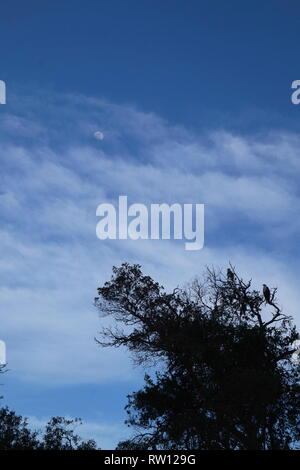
54, 174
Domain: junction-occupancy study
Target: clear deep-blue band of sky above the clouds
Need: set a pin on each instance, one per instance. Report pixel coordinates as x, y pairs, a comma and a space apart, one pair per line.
187, 61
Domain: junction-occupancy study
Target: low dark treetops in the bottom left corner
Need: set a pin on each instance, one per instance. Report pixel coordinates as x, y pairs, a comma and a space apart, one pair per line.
15, 434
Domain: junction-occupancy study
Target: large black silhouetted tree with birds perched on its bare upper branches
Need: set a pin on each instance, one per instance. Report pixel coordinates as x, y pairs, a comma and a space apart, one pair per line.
226, 378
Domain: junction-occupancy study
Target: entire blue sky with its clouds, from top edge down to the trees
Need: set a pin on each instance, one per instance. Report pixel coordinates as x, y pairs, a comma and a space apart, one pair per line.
194, 102
